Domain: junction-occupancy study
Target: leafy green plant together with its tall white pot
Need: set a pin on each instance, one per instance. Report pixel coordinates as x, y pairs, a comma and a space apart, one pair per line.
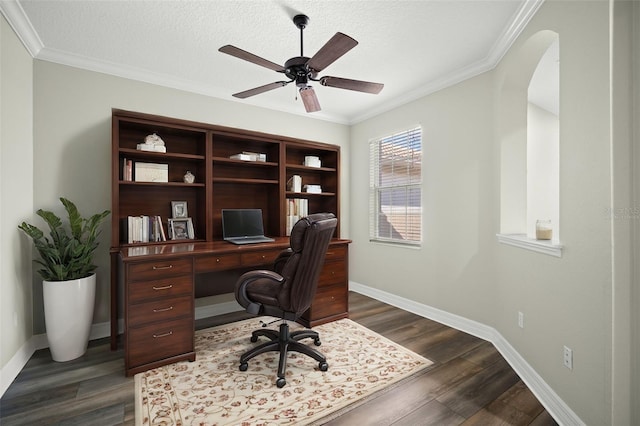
69, 279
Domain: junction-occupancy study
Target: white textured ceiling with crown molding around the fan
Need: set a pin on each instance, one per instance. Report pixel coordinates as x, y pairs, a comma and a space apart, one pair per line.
413, 47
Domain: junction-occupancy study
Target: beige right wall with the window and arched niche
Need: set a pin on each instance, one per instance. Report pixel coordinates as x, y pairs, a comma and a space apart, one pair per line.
463, 270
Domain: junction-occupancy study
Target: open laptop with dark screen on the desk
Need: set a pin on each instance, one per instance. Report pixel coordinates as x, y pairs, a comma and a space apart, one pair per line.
243, 226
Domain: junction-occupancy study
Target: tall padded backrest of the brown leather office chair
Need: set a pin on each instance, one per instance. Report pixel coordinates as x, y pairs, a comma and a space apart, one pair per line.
309, 242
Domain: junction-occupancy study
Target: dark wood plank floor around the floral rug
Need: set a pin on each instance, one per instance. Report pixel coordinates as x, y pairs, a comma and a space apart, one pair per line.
470, 383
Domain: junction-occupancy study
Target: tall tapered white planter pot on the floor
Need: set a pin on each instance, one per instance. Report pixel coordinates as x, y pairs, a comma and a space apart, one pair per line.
68, 315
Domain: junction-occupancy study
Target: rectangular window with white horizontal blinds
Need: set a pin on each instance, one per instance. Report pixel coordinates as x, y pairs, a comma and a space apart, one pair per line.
395, 206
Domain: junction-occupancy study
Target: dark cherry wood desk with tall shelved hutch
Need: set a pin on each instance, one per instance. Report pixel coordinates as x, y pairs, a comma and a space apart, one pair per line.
158, 281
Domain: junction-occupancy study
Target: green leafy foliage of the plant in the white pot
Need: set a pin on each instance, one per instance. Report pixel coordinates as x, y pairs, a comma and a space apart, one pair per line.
63, 256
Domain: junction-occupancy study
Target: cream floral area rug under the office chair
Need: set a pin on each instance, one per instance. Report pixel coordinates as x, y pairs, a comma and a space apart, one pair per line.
213, 391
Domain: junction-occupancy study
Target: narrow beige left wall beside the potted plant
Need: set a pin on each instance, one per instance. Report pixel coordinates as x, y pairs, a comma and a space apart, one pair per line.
16, 194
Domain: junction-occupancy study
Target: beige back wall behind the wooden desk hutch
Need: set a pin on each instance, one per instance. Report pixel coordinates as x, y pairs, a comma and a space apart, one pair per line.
72, 142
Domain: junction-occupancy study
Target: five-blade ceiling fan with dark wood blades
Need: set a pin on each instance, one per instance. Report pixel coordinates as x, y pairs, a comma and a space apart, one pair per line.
302, 69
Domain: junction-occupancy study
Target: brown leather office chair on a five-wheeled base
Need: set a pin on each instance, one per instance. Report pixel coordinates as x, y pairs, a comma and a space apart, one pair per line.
287, 292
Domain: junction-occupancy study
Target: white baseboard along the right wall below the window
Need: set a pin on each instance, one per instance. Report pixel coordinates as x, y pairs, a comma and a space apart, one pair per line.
545, 394
